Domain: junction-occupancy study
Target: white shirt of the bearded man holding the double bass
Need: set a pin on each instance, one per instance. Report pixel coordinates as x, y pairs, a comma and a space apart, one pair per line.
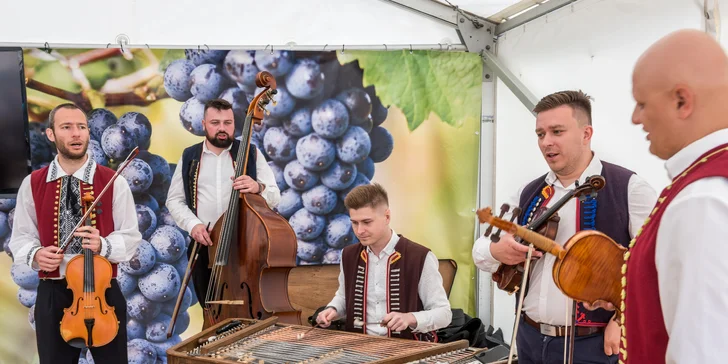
214, 187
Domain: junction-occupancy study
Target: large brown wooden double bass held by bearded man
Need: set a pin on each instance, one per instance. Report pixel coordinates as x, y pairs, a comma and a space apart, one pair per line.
254, 248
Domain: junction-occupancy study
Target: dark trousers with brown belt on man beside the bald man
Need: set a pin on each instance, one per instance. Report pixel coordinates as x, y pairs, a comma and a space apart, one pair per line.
535, 348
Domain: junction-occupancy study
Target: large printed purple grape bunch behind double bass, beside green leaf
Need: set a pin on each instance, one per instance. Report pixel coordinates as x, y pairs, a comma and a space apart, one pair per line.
321, 139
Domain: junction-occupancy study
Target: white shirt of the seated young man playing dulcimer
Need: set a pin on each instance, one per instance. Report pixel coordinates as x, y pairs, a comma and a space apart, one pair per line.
436, 314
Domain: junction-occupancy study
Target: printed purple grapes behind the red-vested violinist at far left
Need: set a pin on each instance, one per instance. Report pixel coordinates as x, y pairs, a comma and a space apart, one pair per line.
151, 280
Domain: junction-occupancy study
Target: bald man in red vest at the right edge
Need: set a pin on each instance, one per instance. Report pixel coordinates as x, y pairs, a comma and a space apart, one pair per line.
676, 288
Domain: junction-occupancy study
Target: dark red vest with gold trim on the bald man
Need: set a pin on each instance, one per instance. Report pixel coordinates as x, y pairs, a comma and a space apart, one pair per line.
643, 325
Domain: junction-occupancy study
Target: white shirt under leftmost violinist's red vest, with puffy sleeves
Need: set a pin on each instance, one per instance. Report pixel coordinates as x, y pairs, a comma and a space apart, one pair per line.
119, 246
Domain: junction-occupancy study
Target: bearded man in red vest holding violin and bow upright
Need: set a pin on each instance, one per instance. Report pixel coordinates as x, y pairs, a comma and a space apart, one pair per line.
48, 208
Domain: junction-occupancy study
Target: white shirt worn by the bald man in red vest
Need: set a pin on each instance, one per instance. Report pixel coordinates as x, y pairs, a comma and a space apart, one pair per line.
692, 269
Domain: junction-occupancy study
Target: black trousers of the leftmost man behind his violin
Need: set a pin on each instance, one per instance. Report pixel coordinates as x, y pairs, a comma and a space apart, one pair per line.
53, 297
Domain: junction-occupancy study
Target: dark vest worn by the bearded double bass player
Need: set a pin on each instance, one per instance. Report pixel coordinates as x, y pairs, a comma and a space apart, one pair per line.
191, 168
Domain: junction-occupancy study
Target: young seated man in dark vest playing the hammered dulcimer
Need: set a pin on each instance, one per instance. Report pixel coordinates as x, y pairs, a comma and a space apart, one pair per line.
388, 284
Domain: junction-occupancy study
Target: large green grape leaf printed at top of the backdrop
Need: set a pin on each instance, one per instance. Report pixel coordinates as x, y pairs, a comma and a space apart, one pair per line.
448, 84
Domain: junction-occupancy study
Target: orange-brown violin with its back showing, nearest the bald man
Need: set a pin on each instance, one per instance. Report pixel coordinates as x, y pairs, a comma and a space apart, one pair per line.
587, 267
